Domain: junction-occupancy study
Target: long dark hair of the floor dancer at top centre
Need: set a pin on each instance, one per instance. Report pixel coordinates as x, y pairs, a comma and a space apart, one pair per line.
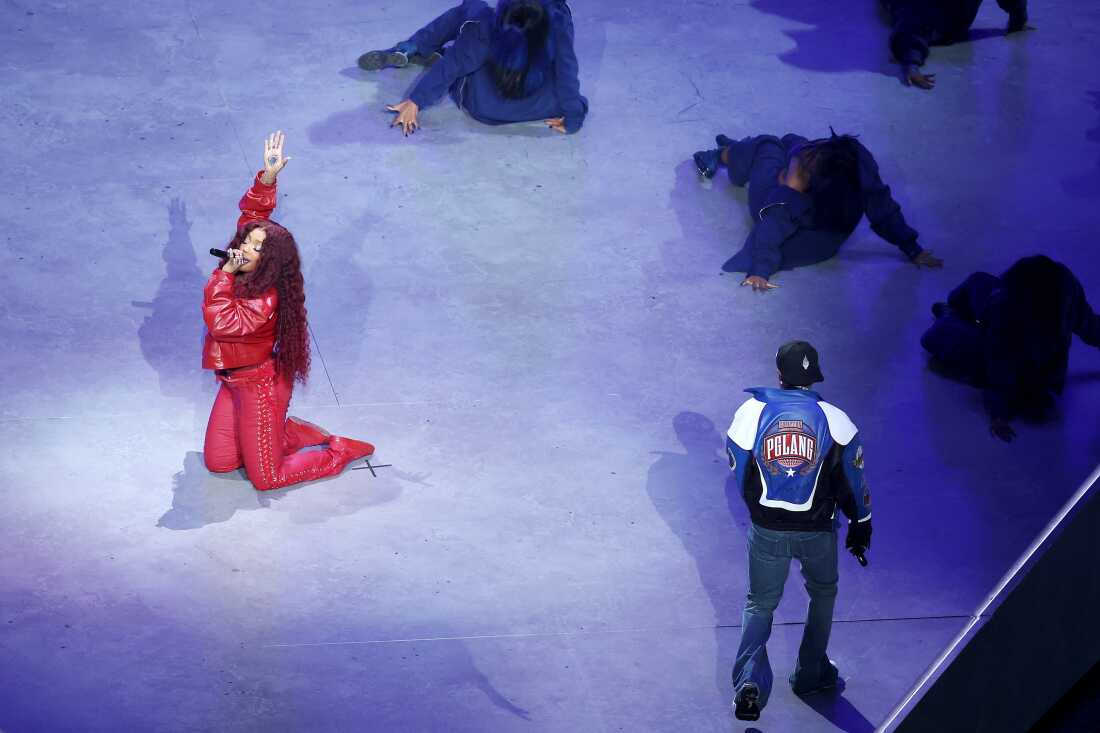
520, 52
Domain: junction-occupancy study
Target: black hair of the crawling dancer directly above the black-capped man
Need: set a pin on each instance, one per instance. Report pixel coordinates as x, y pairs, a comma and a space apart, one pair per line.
832, 168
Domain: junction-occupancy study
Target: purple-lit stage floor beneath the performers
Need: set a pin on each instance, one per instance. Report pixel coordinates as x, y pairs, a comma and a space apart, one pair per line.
535, 332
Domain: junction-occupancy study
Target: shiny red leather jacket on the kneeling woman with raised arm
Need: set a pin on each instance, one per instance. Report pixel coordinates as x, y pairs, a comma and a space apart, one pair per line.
240, 332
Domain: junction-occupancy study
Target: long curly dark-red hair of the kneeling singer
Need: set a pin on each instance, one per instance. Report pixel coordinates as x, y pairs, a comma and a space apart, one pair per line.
281, 269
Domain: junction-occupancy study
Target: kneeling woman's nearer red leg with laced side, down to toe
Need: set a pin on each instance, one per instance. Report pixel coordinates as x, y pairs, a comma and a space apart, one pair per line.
261, 400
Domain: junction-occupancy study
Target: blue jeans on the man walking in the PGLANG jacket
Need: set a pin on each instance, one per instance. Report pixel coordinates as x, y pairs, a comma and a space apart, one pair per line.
771, 553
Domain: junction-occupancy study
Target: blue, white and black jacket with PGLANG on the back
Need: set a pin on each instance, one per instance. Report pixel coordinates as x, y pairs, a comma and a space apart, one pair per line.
797, 458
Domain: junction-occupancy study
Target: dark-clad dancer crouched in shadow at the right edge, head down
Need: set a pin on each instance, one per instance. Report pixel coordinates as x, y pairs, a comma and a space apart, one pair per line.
1011, 336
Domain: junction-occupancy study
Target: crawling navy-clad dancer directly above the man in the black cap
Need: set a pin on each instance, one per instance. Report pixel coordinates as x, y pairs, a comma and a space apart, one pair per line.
807, 198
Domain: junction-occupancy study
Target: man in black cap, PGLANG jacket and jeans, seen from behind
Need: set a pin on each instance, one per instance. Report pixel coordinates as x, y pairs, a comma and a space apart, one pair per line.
797, 460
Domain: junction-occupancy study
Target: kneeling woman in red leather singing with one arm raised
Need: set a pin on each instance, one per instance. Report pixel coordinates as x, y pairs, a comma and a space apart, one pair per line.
258, 344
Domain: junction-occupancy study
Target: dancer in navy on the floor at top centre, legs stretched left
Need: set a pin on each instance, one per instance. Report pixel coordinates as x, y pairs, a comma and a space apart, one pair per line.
514, 65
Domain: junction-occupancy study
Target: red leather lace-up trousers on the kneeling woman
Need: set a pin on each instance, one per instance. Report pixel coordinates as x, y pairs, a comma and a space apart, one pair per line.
249, 428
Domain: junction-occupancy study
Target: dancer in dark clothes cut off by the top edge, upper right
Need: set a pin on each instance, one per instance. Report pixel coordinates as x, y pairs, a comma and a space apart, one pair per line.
919, 25
